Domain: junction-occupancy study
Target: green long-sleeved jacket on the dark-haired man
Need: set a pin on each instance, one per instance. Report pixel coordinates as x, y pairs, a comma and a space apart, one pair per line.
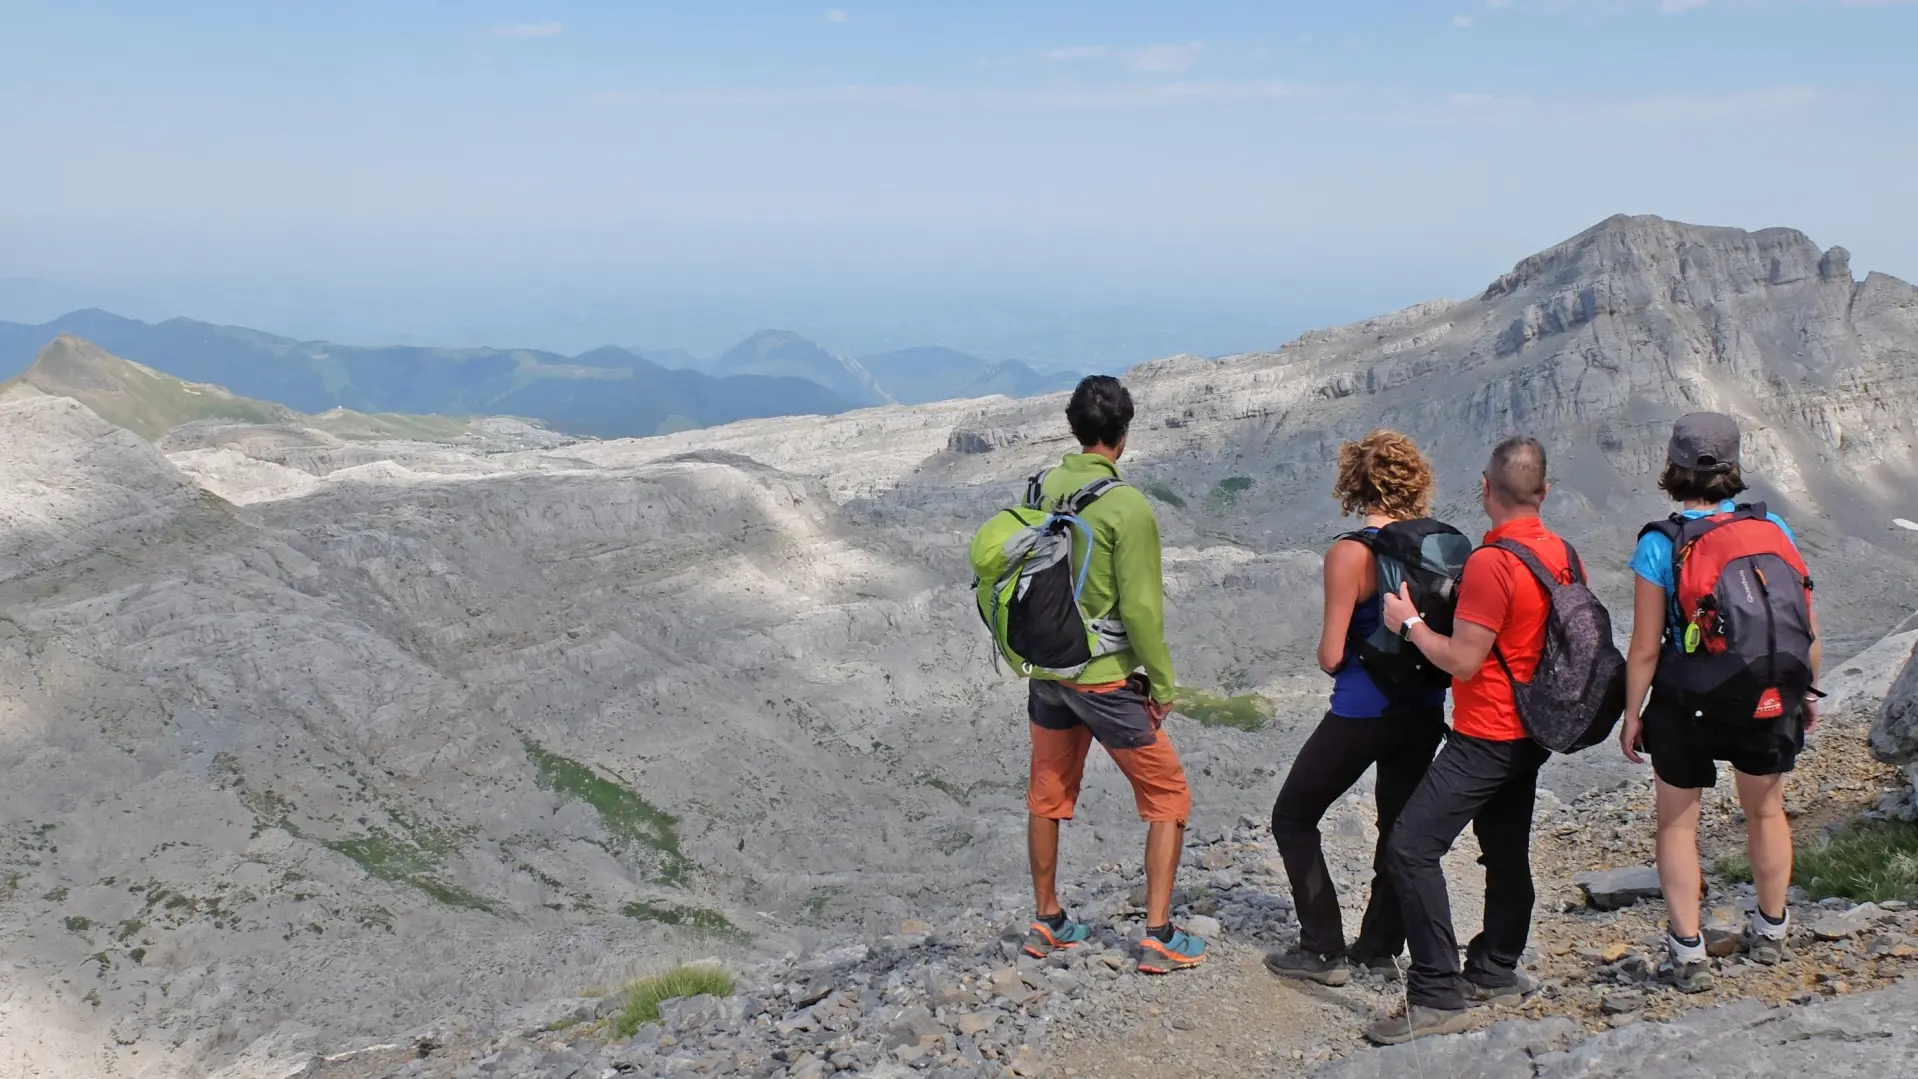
1125, 574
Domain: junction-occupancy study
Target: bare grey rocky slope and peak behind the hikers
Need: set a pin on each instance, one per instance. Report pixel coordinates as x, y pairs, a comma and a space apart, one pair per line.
438, 735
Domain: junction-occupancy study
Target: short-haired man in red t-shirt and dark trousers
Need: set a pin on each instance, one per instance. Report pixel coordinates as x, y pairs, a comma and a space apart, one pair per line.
1487, 775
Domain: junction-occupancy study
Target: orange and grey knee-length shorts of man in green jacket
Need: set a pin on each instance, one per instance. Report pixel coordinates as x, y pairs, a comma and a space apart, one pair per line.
1060, 756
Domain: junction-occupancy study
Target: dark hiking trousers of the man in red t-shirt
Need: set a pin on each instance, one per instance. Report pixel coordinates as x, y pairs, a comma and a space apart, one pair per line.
1491, 787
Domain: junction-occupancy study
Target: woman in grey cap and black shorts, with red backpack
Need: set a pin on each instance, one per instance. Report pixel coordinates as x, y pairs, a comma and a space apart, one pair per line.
1719, 691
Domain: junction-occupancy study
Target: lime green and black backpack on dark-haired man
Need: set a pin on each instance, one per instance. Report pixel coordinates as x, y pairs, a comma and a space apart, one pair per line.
1029, 589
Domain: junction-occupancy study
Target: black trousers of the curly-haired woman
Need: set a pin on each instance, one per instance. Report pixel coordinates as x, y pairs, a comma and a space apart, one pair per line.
1332, 760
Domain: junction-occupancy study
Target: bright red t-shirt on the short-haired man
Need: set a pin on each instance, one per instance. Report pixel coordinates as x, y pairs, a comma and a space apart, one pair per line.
1499, 593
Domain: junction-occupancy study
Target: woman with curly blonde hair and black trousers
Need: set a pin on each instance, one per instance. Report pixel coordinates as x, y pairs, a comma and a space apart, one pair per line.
1384, 478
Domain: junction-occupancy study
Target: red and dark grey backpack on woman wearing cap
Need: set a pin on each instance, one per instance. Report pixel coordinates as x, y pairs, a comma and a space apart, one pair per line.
1741, 618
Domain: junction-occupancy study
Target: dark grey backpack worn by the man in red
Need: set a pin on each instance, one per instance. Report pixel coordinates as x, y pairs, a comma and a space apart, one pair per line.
1578, 691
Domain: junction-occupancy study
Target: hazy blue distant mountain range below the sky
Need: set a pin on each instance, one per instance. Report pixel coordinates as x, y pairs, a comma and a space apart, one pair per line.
605, 394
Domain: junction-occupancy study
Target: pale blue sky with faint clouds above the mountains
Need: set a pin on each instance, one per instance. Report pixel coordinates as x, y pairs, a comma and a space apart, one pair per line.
1288, 162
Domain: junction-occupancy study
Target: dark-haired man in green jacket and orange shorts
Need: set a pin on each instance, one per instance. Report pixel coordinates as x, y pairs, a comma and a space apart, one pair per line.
1121, 699
